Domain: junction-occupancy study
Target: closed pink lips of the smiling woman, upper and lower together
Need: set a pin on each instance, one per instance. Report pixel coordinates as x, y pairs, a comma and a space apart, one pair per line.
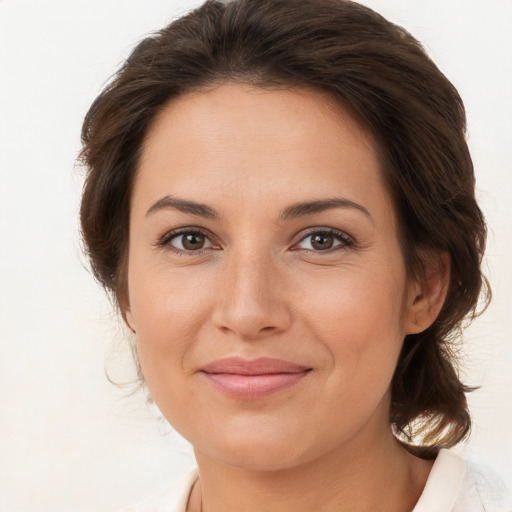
252, 379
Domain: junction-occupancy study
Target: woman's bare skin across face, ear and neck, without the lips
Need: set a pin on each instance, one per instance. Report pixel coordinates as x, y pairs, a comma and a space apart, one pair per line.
256, 285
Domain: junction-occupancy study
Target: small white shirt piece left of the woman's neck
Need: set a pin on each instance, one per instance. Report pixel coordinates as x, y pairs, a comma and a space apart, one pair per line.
171, 499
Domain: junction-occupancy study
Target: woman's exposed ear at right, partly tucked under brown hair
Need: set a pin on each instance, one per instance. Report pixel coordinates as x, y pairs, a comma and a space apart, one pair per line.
426, 297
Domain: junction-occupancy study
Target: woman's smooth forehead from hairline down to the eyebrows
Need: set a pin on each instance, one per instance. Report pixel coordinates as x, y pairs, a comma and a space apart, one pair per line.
234, 139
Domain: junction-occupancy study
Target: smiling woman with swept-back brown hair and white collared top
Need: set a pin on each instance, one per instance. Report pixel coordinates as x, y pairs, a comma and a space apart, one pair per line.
280, 199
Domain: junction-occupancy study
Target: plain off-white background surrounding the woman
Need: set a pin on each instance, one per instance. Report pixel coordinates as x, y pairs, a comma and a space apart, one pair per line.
69, 441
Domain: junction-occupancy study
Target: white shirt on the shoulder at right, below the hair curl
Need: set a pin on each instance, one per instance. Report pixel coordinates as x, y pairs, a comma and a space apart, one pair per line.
455, 485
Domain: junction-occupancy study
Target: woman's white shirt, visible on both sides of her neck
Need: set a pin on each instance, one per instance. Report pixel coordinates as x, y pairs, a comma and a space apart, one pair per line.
452, 486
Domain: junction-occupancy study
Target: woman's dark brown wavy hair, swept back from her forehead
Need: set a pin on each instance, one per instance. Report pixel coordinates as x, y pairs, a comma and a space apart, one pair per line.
378, 71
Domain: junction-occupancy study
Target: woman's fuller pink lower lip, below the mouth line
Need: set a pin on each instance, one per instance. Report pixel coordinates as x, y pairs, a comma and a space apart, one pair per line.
252, 387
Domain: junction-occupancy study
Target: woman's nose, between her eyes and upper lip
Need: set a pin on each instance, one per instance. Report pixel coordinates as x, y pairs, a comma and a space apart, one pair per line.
251, 302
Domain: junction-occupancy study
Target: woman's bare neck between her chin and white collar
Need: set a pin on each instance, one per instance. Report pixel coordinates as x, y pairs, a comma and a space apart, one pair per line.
382, 476
